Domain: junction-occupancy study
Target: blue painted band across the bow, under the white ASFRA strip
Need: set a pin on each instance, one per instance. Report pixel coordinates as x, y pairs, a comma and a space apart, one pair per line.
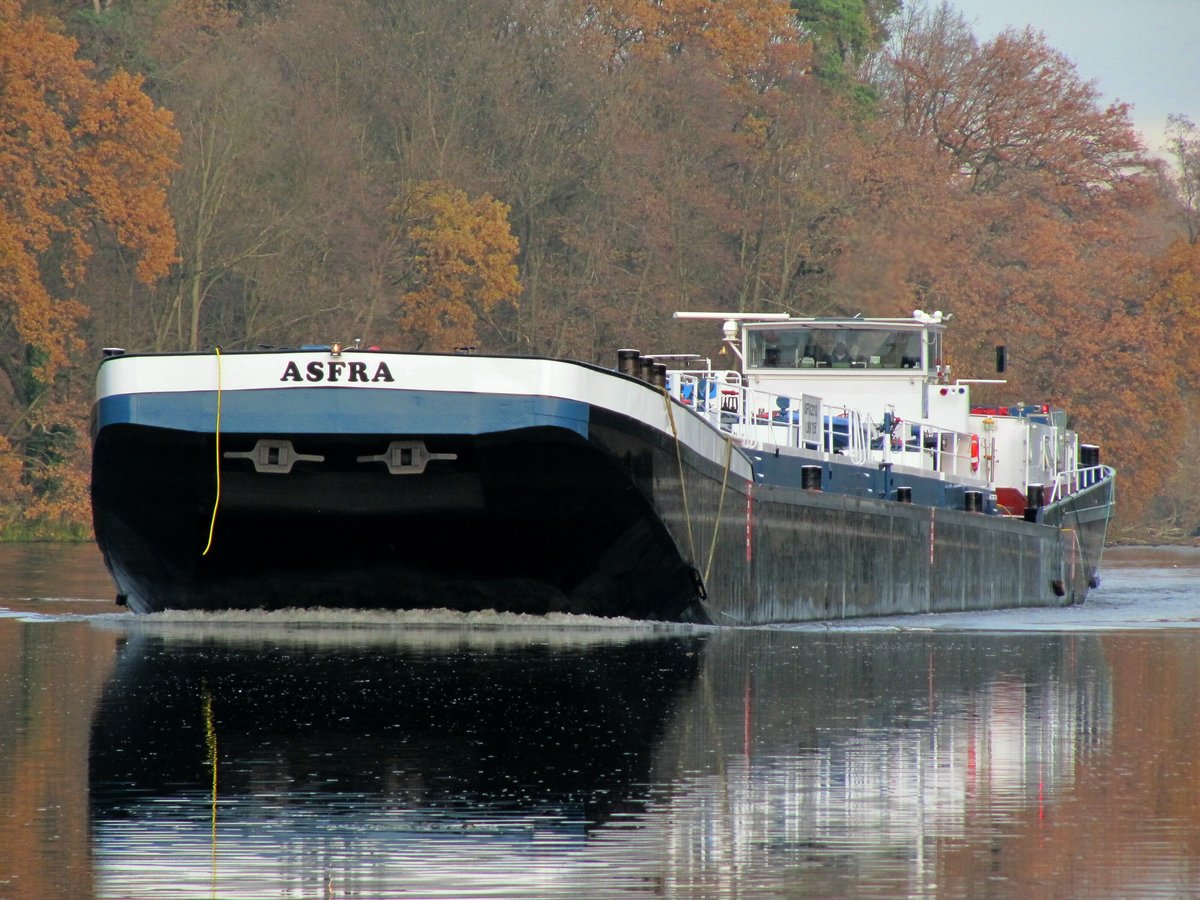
325, 411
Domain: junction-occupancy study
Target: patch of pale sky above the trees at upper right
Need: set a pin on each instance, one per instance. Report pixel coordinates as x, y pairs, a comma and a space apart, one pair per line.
1145, 53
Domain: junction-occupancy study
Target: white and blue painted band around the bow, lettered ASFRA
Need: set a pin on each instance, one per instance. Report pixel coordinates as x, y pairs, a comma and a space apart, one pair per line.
425, 395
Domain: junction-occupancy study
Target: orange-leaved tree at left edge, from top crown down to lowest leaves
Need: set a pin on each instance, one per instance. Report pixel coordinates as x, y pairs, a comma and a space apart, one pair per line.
85, 167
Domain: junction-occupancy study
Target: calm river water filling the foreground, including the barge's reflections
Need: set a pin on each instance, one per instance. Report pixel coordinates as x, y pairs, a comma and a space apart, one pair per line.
1051, 753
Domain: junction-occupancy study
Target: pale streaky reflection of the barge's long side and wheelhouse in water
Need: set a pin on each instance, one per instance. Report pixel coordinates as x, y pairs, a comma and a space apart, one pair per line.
849, 763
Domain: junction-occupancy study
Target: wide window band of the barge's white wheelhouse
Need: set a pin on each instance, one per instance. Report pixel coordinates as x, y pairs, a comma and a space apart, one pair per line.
777, 347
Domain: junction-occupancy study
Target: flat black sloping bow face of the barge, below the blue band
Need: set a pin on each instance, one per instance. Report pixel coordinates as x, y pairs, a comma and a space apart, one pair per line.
530, 523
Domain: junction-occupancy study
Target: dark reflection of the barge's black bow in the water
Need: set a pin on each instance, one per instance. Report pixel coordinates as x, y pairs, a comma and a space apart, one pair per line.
386, 766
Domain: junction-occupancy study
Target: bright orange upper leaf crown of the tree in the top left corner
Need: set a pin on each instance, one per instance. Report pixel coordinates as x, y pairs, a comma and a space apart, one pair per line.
76, 157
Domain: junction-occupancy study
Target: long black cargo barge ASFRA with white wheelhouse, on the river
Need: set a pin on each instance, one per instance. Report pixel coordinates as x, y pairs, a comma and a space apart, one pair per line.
835, 471
